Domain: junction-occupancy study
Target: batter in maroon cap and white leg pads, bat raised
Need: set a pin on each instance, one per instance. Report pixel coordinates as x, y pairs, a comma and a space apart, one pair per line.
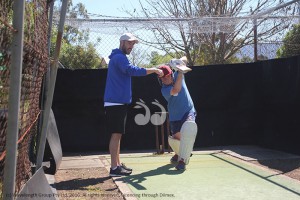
181, 110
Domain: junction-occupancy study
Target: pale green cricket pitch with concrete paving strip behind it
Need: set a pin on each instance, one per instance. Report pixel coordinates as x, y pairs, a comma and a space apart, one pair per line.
216, 174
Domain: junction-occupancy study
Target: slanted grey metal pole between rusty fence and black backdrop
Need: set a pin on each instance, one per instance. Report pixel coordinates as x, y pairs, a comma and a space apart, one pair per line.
50, 92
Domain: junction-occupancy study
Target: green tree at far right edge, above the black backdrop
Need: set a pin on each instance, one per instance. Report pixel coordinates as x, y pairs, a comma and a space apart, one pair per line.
291, 43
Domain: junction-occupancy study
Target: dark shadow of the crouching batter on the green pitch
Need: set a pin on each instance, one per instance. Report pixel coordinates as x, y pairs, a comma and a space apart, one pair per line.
136, 179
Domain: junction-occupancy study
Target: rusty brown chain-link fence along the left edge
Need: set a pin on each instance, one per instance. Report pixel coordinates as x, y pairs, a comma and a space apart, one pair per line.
35, 58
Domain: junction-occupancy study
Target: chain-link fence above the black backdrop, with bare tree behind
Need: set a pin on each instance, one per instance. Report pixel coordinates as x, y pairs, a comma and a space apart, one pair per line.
210, 41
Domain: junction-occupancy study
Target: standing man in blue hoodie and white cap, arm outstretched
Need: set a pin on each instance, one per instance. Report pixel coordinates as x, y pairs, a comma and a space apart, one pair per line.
118, 95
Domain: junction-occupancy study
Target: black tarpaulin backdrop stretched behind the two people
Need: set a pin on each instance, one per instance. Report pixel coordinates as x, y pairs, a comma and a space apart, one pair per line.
237, 104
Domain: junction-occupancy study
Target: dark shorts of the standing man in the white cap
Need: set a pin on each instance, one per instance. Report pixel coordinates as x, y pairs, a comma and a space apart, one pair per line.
115, 117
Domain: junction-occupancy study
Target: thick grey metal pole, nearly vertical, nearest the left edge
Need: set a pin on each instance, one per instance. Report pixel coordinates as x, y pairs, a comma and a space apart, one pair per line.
14, 101
